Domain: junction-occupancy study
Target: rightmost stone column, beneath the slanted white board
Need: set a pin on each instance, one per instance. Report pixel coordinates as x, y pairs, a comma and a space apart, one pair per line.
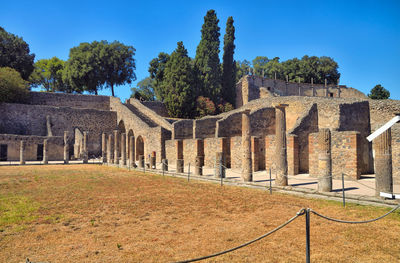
383, 163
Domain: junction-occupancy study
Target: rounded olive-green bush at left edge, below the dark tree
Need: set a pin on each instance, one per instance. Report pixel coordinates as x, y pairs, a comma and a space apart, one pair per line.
13, 88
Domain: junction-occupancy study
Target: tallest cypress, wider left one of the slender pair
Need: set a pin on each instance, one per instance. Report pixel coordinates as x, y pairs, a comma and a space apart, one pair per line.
207, 58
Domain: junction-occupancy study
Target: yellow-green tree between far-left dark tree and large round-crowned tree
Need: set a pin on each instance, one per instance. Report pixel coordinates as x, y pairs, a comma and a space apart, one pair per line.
48, 74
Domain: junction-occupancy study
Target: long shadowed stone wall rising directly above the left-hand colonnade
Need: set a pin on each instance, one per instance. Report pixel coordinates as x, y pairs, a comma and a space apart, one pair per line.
23, 119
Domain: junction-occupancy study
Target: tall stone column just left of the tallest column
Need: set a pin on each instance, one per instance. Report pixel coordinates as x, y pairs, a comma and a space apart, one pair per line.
247, 173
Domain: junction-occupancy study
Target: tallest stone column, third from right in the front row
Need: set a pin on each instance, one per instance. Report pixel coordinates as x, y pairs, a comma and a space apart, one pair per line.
280, 146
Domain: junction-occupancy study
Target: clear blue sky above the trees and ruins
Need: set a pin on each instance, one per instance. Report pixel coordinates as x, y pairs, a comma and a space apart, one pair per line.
362, 36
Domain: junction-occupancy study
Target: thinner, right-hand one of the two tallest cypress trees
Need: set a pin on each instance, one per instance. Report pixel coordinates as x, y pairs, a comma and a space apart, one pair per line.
229, 64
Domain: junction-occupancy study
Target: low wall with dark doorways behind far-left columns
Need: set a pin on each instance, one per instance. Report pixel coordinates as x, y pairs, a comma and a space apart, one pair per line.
55, 147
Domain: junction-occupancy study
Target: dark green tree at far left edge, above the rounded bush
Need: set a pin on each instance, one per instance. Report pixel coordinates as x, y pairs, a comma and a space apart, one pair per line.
14, 53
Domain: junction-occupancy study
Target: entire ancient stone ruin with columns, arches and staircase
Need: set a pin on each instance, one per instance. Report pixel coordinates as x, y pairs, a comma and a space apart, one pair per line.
291, 128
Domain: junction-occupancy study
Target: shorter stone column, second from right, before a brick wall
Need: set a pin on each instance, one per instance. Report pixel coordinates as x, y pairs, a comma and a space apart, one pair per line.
324, 161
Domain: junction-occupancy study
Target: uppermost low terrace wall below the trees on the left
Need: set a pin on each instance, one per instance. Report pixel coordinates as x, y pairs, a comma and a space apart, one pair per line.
70, 100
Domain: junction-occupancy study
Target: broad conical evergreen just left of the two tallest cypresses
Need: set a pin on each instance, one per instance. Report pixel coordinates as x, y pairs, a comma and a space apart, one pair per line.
178, 80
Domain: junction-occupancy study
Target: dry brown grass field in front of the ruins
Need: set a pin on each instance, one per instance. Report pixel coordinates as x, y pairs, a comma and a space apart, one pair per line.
90, 213
